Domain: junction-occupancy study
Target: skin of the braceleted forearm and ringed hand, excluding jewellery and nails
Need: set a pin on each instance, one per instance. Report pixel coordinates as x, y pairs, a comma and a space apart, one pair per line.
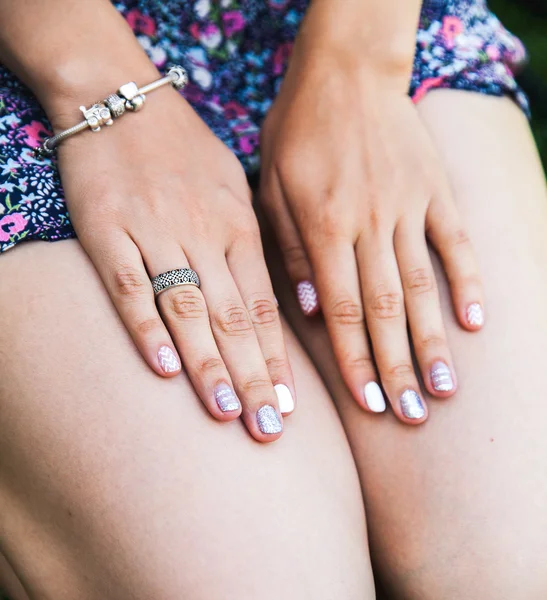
193, 209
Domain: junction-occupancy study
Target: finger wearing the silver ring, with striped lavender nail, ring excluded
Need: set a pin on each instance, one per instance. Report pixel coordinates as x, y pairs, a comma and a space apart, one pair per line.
184, 311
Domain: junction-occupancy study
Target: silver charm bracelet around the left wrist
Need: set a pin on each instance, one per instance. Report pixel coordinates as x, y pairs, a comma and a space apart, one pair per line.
128, 98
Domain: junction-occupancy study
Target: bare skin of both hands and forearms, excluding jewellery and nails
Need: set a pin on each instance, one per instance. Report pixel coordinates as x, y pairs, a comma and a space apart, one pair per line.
190, 206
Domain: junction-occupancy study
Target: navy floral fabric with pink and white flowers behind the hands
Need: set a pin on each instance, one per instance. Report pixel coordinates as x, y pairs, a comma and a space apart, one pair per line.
236, 52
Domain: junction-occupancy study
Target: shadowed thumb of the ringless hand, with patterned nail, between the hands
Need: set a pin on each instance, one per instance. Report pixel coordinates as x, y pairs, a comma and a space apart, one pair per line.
292, 249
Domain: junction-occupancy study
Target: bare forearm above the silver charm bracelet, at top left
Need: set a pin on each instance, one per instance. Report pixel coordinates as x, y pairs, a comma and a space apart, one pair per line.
72, 56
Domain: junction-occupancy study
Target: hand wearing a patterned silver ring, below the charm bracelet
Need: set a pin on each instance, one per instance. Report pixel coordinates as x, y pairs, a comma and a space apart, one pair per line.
158, 191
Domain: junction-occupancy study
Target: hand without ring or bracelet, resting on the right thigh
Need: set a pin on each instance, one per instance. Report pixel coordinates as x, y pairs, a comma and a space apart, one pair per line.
353, 187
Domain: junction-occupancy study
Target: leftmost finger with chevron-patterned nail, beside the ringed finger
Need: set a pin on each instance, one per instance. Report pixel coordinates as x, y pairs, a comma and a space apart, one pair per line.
120, 265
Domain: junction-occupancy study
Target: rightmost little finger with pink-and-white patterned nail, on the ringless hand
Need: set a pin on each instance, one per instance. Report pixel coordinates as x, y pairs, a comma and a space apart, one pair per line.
447, 235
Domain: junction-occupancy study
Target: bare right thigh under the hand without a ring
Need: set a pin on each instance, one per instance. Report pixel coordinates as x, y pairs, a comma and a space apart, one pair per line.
456, 508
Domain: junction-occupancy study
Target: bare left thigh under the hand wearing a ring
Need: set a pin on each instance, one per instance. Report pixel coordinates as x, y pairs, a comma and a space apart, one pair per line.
116, 483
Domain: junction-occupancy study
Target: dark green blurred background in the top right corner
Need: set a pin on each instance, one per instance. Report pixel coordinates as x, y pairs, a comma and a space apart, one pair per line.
528, 20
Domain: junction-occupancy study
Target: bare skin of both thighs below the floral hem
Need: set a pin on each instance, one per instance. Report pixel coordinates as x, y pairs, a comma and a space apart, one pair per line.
454, 510
